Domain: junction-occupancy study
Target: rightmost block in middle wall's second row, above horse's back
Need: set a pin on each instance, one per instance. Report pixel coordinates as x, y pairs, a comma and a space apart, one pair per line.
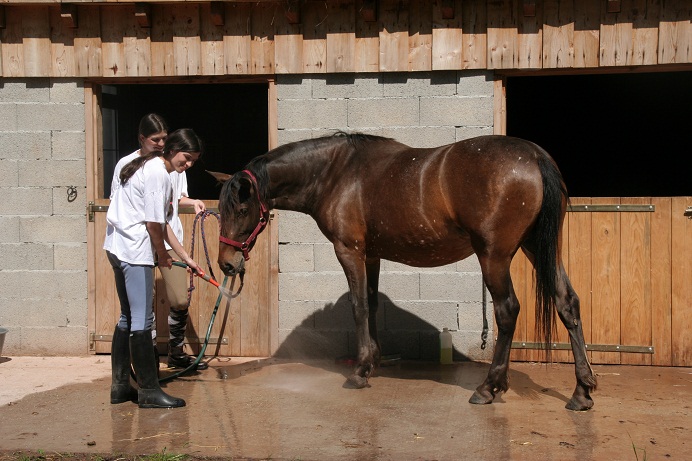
456, 111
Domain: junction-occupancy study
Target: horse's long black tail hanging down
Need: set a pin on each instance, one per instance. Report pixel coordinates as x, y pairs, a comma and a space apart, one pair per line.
546, 238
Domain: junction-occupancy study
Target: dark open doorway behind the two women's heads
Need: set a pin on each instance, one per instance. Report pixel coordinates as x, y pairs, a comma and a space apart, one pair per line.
231, 119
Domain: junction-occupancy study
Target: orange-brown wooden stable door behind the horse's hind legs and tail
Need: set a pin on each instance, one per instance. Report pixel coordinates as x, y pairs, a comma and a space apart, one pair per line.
630, 262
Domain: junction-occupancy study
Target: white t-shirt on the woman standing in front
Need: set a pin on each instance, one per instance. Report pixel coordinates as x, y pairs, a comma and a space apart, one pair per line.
145, 197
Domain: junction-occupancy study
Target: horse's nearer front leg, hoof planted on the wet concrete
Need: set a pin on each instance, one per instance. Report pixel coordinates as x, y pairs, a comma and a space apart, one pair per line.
353, 263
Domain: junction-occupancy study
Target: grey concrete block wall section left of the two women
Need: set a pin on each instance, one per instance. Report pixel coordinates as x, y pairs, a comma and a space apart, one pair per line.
43, 278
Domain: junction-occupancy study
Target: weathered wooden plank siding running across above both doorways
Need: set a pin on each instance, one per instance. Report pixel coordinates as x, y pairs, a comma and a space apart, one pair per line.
268, 37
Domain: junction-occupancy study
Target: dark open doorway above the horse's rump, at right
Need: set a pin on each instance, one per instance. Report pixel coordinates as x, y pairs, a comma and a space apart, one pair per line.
619, 135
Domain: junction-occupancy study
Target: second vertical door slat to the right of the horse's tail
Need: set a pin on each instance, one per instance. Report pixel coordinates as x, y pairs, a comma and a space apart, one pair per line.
606, 280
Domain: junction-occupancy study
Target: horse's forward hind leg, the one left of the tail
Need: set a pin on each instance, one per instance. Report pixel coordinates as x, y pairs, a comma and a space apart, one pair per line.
506, 307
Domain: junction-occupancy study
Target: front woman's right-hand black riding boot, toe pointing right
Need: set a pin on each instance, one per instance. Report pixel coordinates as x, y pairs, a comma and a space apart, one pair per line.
150, 394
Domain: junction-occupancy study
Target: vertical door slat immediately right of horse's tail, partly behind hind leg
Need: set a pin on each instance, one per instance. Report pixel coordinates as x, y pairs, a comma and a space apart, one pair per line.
579, 268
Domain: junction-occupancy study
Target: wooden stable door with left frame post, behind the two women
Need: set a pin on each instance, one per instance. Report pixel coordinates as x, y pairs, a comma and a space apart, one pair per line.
244, 326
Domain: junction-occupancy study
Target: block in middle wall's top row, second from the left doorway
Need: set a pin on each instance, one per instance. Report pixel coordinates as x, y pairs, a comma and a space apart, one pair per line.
339, 86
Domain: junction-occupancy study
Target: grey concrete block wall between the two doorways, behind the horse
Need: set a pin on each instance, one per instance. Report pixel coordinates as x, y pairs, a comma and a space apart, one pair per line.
421, 110
